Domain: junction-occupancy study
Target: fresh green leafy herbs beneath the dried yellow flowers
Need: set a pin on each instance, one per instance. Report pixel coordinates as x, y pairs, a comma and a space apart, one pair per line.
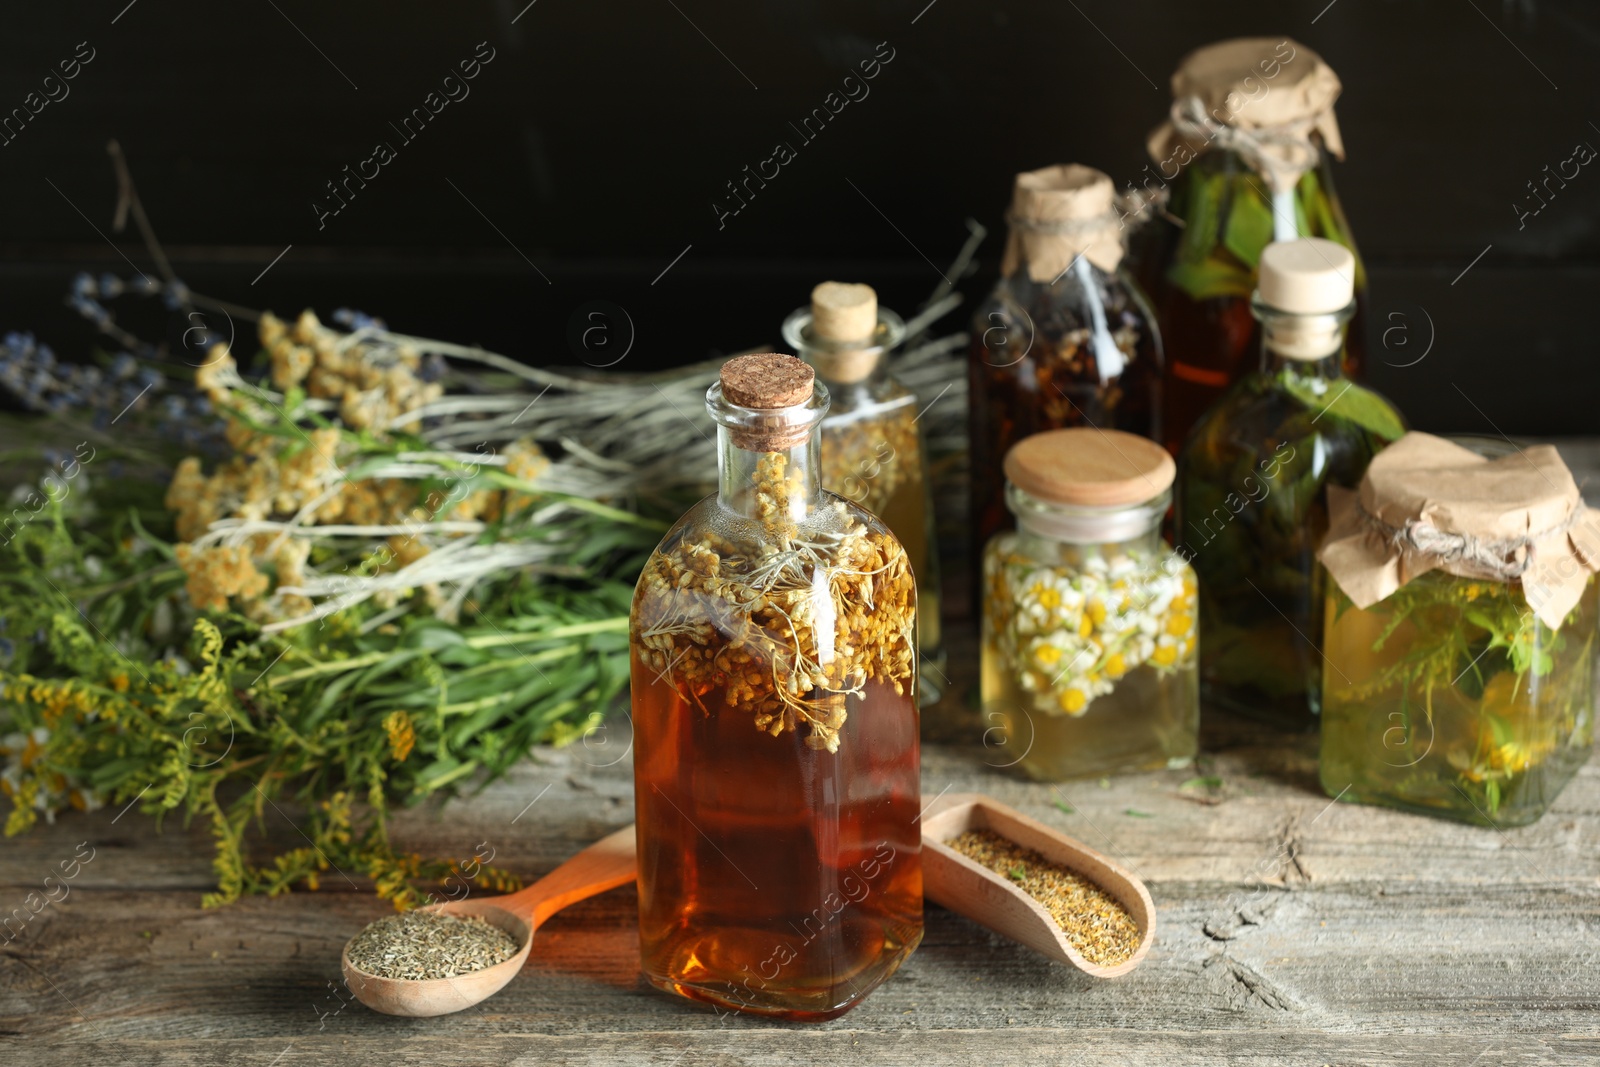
118, 690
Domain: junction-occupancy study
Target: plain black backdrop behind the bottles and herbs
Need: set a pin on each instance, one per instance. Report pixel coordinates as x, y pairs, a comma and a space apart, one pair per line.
601, 134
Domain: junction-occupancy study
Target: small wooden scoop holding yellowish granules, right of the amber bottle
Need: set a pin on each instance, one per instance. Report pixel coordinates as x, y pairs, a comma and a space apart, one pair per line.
1006, 908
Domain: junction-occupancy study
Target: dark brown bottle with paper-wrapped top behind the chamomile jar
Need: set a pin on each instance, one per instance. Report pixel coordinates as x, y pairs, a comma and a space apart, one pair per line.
1066, 340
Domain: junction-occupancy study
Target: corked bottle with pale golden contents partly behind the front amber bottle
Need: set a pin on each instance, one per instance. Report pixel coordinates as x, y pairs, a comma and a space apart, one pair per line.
871, 444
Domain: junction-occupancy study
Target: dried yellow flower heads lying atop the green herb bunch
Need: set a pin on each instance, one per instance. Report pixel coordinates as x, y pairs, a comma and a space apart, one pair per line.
302, 476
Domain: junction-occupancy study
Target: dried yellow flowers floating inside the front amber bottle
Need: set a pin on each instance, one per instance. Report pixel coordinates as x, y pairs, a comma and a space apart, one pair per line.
785, 621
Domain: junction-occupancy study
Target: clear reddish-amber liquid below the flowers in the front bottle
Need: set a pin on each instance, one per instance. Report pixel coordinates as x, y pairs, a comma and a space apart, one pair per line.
778, 879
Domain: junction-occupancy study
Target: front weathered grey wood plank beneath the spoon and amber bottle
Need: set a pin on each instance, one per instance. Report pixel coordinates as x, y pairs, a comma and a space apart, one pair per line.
1388, 959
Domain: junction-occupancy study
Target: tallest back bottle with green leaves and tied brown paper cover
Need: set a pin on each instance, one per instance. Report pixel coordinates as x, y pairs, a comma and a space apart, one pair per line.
1242, 161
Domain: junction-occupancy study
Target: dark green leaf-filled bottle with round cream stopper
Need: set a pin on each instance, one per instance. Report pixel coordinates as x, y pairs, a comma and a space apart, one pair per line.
1254, 479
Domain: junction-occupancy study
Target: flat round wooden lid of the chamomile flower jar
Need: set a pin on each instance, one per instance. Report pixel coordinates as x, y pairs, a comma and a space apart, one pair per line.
1090, 468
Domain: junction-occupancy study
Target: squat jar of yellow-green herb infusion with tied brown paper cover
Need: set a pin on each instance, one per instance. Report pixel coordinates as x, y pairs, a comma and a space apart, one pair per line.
1462, 631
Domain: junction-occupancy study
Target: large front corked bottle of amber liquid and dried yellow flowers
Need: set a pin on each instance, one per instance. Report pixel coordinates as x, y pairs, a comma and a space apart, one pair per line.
775, 721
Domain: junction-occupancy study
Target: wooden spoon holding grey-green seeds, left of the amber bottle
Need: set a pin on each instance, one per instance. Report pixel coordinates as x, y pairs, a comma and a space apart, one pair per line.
604, 866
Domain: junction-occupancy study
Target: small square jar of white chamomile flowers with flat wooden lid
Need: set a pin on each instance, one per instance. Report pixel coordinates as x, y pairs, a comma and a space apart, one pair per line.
1089, 636
